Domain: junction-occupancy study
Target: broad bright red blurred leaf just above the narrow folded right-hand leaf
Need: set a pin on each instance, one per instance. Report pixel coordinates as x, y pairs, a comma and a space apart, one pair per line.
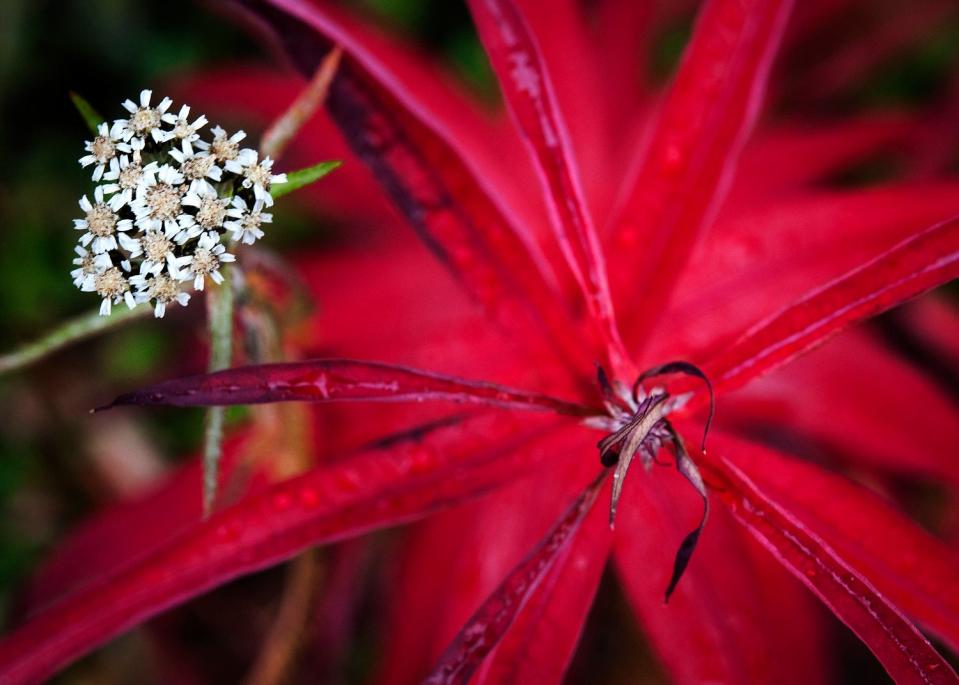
804, 242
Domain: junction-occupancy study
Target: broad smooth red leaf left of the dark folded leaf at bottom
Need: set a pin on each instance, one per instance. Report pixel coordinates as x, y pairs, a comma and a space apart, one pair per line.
476, 546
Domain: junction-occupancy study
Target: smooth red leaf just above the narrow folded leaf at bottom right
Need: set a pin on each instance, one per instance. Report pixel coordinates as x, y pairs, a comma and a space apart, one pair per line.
906, 564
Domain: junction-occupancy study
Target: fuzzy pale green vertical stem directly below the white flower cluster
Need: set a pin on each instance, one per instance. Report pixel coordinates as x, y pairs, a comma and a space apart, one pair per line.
220, 318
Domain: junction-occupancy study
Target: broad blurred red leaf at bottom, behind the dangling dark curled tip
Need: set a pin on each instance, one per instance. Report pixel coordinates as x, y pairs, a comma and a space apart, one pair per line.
732, 597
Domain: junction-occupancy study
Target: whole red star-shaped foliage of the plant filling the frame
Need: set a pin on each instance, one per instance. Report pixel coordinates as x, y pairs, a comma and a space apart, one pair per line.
713, 246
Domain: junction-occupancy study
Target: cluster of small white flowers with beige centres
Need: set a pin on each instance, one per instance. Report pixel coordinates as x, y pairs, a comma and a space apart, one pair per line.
166, 207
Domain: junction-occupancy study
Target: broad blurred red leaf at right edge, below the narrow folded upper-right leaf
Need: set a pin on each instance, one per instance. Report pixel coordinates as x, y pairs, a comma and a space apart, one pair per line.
848, 397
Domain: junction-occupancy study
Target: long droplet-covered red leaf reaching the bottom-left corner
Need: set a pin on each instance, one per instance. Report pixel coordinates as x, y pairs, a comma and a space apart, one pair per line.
380, 487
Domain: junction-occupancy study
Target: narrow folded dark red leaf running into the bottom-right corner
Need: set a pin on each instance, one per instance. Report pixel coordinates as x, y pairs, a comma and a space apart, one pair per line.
906, 655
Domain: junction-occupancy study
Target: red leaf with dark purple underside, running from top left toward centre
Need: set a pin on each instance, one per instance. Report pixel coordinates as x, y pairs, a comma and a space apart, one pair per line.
423, 166
